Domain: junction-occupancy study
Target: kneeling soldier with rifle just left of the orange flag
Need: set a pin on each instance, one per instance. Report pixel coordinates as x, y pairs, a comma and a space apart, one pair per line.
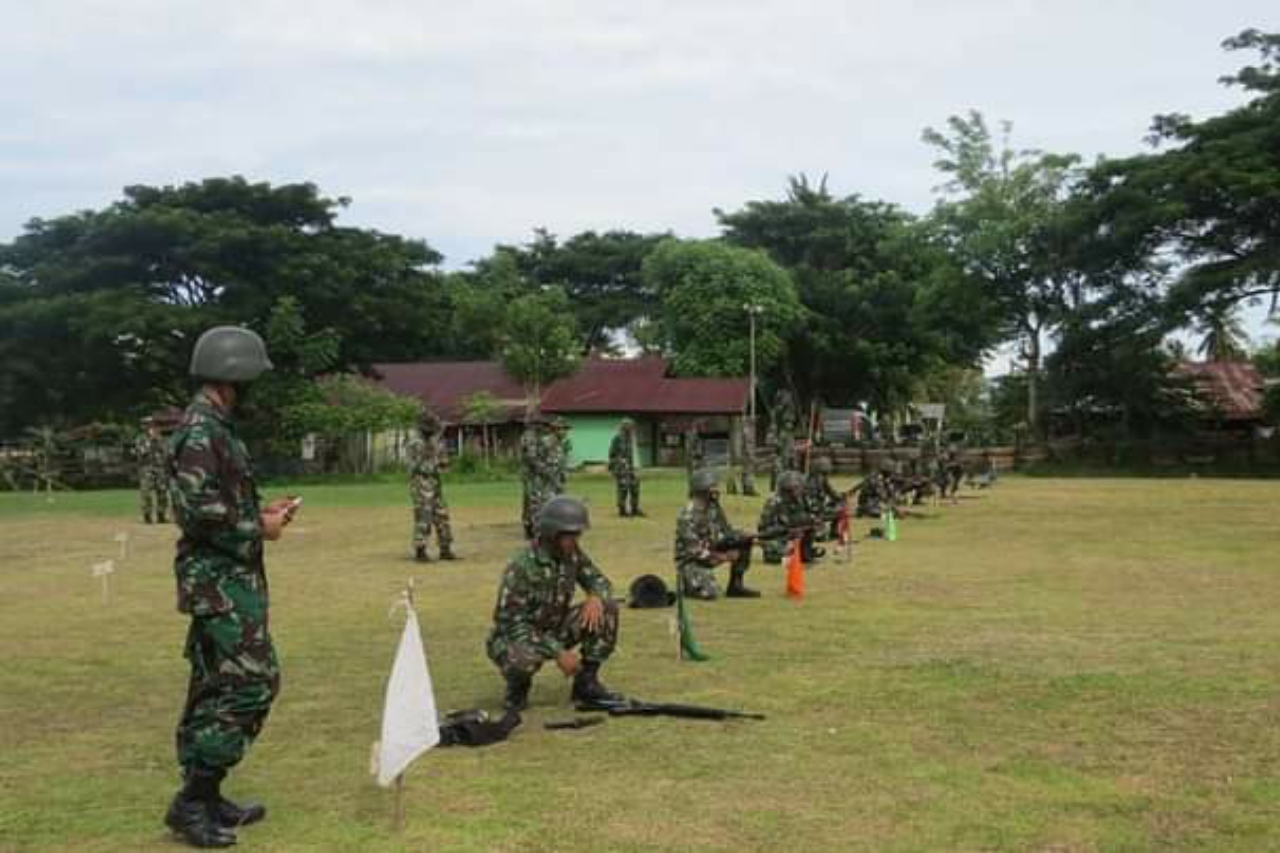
705, 540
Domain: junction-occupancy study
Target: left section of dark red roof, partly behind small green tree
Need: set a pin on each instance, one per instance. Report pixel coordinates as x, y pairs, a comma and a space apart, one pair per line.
445, 386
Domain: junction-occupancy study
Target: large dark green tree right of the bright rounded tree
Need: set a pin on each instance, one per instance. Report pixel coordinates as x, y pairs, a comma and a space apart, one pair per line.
884, 303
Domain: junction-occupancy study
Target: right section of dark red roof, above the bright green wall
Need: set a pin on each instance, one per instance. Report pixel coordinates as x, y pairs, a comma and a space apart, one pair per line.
642, 386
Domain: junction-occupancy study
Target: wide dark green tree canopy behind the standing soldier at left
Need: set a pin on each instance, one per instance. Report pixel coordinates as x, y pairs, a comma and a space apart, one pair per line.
99, 309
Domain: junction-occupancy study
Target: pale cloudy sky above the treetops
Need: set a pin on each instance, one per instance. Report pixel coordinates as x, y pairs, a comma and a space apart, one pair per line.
472, 125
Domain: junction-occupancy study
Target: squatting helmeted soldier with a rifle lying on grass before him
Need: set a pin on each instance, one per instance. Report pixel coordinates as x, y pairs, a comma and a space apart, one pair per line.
536, 621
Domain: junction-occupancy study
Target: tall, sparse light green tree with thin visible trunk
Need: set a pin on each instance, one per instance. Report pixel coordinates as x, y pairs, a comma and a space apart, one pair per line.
1004, 216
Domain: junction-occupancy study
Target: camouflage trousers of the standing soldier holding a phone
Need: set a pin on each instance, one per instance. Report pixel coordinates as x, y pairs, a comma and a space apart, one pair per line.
235, 678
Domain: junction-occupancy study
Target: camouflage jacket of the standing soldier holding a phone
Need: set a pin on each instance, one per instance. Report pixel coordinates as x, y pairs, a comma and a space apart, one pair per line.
218, 509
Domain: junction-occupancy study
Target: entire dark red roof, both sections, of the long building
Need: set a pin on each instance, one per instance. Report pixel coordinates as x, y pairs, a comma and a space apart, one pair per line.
600, 386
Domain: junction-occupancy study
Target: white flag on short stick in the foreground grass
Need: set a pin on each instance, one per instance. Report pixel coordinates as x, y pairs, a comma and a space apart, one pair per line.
410, 727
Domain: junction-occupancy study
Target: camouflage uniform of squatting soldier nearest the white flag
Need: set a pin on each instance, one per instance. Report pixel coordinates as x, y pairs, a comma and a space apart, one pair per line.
534, 621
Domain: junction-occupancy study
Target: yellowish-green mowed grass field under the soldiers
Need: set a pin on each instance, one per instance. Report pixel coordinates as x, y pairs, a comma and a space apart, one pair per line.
1046, 665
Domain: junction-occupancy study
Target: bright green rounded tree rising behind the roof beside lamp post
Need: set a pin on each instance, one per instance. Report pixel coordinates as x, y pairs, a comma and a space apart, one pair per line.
703, 289
